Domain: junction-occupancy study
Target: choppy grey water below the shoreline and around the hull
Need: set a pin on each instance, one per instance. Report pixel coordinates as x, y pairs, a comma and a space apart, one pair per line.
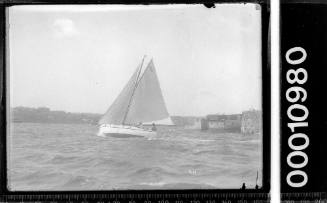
72, 157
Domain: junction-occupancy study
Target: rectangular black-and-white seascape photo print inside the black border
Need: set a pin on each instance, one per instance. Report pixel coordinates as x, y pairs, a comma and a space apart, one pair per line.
134, 97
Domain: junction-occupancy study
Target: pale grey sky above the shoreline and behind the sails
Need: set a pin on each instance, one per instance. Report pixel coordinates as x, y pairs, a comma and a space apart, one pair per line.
79, 58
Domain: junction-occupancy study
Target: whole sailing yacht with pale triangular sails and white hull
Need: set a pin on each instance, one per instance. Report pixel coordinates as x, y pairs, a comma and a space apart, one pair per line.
140, 102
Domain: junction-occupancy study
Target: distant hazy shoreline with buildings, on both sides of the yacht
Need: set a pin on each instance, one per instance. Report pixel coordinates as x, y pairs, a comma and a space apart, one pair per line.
246, 122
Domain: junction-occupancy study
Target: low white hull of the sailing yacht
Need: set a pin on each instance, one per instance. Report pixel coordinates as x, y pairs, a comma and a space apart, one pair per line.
124, 131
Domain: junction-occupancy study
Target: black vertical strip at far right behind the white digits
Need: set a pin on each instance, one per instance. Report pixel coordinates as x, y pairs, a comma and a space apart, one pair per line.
303, 24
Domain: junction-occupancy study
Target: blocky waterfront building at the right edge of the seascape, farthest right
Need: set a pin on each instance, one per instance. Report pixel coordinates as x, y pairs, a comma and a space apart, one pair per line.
251, 122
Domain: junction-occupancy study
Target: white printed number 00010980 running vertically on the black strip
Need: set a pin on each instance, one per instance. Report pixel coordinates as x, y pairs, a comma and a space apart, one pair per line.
295, 95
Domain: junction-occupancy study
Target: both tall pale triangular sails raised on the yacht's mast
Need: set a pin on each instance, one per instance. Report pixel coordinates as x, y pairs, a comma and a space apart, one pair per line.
140, 101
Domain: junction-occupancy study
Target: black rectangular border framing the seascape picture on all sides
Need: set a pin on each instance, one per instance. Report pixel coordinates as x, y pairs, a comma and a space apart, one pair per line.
121, 195
